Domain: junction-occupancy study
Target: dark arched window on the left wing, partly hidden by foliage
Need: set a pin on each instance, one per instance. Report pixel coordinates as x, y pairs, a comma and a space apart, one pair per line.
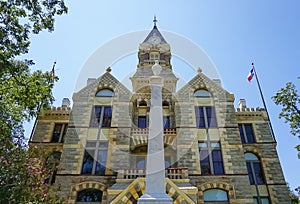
51, 163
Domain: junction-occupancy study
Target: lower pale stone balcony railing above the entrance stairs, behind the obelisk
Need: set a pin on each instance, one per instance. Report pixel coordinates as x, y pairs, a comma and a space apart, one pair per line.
171, 173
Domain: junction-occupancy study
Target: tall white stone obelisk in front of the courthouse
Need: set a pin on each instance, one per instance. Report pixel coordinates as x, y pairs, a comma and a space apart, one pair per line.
155, 169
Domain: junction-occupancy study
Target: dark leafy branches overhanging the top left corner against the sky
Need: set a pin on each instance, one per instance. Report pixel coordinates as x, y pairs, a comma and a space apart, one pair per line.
19, 18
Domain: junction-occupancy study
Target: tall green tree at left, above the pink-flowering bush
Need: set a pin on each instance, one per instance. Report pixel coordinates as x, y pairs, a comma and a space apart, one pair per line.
22, 93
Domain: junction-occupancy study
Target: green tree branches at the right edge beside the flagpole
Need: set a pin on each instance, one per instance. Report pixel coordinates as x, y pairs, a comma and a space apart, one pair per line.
289, 99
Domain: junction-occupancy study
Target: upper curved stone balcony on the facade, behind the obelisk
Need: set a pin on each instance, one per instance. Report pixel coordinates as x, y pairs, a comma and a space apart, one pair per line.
139, 137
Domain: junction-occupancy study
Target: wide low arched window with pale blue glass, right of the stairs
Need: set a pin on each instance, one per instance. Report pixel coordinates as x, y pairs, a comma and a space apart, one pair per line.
215, 195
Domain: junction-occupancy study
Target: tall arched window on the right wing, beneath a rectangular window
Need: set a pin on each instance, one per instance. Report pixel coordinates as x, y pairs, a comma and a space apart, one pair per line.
255, 171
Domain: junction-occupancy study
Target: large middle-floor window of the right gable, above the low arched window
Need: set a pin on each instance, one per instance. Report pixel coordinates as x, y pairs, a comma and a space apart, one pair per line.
211, 161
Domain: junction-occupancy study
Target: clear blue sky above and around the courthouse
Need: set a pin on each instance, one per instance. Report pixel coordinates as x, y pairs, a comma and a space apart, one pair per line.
232, 33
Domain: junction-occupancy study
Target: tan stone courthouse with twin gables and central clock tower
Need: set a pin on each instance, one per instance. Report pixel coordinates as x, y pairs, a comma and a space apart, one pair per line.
214, 152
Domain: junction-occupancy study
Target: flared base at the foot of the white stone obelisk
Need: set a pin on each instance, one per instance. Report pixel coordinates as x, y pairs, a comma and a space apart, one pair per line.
155, 198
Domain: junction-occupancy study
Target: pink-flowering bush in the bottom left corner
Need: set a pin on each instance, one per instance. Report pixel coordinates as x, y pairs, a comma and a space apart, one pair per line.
23, 175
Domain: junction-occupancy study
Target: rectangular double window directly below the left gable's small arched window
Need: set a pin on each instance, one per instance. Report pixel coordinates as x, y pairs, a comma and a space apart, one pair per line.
101, 116
